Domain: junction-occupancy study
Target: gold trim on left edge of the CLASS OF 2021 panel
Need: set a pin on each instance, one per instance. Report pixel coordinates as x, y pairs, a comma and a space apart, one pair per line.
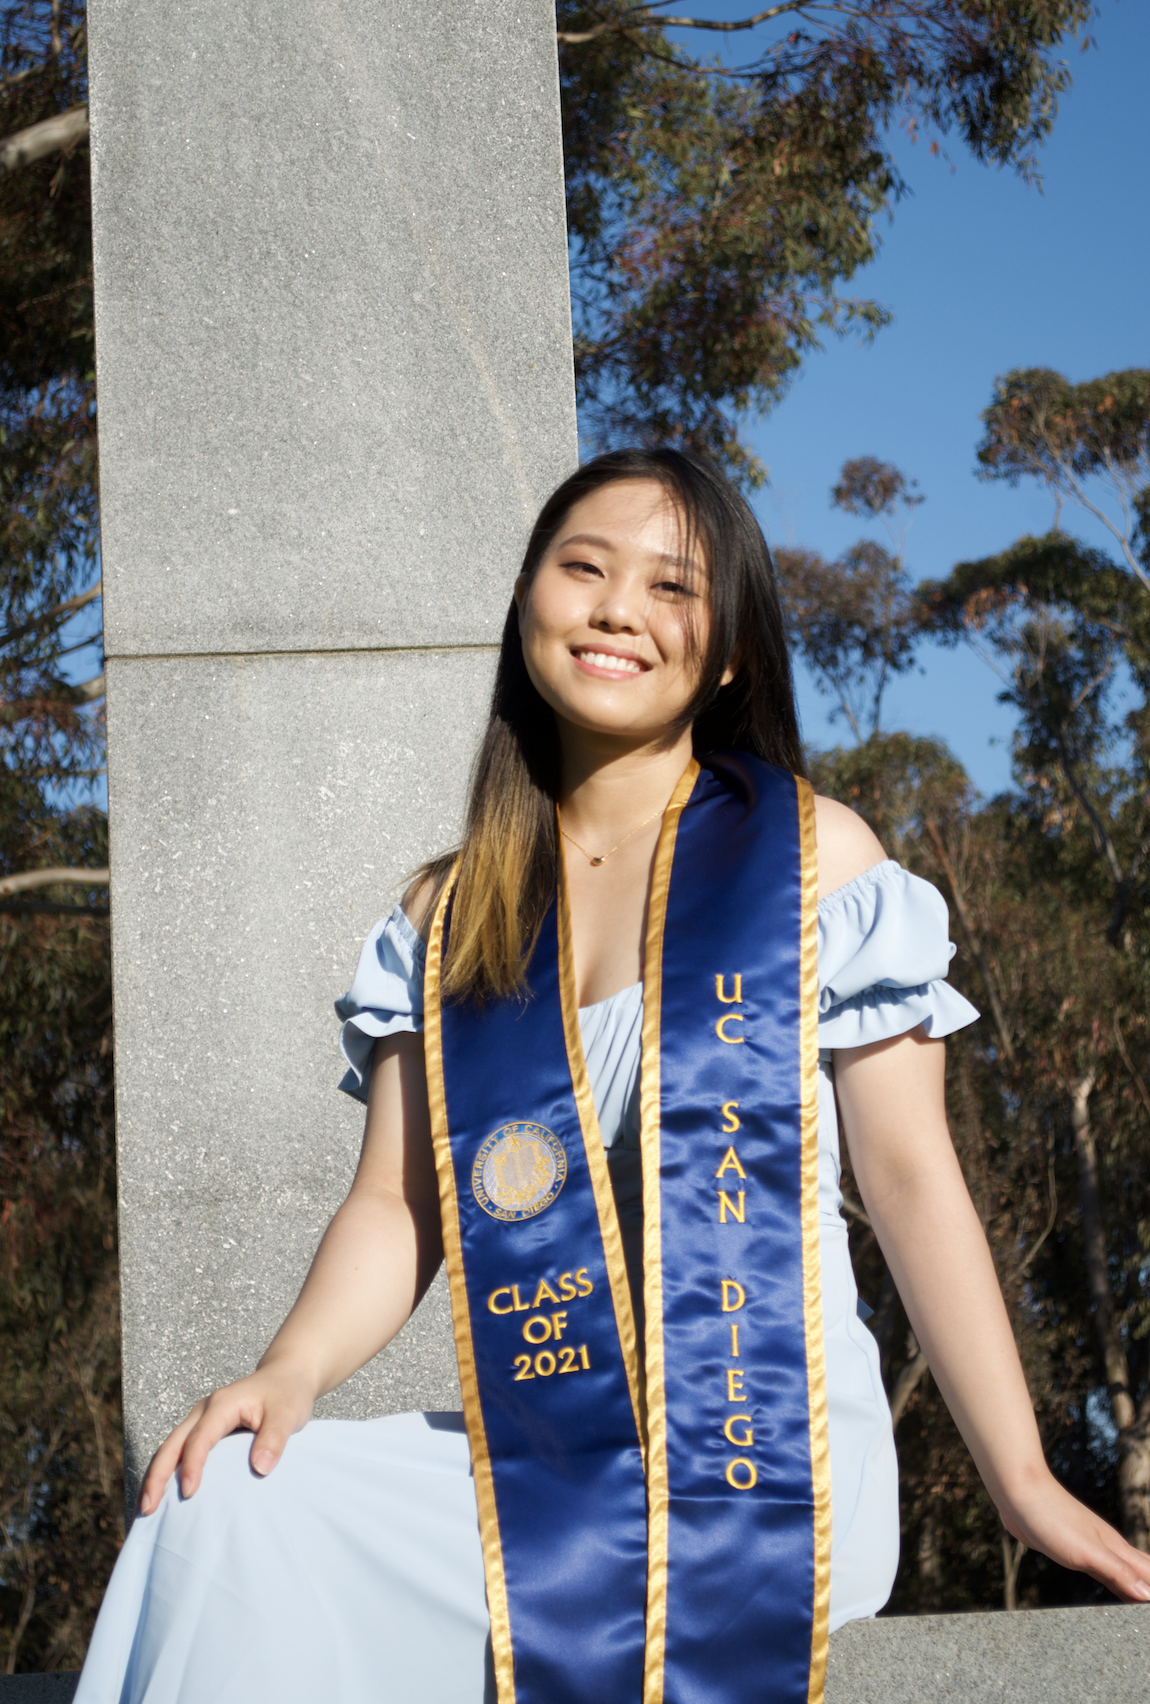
461, 1313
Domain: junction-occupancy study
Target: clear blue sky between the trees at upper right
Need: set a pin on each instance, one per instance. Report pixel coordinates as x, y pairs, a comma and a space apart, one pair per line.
982, 275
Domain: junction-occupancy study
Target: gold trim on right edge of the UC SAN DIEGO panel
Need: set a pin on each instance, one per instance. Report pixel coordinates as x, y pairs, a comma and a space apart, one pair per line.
812, 1277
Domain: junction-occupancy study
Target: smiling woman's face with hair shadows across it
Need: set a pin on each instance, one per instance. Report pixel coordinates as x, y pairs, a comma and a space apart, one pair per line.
609, 614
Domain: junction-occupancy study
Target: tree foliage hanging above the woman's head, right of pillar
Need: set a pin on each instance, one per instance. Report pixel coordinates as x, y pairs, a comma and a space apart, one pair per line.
715, 210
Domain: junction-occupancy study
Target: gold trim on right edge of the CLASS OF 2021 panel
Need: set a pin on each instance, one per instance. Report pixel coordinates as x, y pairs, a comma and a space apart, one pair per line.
597, 1154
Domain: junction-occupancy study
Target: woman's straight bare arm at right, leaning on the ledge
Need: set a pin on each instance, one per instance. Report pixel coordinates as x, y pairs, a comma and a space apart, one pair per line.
894, 1110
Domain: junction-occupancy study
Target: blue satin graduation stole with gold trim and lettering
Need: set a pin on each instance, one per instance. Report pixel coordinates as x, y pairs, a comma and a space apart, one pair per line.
652, 1529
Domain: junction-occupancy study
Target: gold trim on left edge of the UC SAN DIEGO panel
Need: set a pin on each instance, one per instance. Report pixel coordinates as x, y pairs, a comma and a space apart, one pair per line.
650, 1143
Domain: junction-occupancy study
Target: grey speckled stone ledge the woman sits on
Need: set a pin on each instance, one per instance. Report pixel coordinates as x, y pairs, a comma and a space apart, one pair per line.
1028, 1657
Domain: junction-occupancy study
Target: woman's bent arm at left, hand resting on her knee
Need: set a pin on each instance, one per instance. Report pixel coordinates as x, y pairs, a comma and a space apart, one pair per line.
377, 1258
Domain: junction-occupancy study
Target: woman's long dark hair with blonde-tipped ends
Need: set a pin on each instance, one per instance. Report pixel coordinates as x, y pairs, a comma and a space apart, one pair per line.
510, 853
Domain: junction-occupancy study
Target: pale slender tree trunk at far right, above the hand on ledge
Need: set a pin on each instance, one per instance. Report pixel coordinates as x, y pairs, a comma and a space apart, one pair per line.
1134, 1431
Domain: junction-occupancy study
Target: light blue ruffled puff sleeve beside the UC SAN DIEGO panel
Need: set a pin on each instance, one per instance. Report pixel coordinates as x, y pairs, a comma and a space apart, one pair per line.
883, 957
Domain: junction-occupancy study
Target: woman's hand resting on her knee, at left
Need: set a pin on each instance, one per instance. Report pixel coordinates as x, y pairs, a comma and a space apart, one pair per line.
273, 1403
